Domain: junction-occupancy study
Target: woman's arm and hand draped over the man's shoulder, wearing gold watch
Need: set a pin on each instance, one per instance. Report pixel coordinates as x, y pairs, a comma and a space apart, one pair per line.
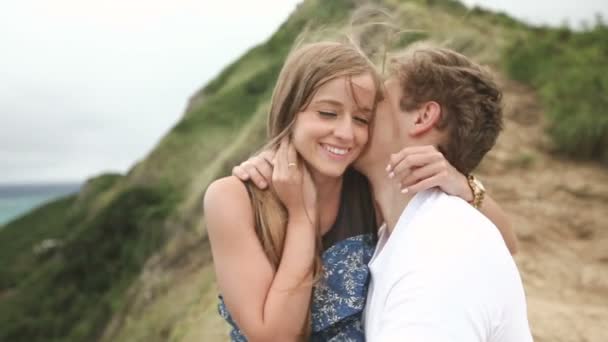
422, 167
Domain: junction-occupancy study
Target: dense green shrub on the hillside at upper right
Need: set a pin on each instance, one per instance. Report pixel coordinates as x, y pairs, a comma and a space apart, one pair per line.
570, 71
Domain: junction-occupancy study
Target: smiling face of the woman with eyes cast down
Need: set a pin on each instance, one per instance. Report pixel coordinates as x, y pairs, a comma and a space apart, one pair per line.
333, 129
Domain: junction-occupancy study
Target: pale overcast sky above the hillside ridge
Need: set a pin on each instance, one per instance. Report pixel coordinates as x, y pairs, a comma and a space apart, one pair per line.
89, 86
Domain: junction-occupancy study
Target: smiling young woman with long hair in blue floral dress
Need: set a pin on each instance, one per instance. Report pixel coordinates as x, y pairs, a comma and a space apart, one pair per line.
288, 268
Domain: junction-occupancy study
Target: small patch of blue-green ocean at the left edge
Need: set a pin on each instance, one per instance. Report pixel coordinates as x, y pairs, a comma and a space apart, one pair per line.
16, 200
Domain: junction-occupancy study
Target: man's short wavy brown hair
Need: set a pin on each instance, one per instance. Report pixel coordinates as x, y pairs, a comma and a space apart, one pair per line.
471, 109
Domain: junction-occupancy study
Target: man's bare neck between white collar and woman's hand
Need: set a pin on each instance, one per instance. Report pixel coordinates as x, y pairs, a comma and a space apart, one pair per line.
387, 194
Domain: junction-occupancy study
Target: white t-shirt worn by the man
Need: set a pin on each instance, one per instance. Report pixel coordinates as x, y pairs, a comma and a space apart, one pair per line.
444, 275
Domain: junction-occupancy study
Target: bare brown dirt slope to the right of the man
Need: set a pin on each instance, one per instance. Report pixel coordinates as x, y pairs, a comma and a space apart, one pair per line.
559, 209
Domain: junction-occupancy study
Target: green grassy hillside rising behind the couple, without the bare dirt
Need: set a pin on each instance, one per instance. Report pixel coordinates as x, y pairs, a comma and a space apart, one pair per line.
130, 259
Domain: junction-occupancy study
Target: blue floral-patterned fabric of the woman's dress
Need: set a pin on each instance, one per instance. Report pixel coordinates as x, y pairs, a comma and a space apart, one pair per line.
339, 296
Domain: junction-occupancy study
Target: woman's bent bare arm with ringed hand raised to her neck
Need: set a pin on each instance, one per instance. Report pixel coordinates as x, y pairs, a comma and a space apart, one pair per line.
266, 305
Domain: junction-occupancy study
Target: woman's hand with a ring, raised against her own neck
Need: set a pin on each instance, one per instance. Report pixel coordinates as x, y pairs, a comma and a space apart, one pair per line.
293, 184
